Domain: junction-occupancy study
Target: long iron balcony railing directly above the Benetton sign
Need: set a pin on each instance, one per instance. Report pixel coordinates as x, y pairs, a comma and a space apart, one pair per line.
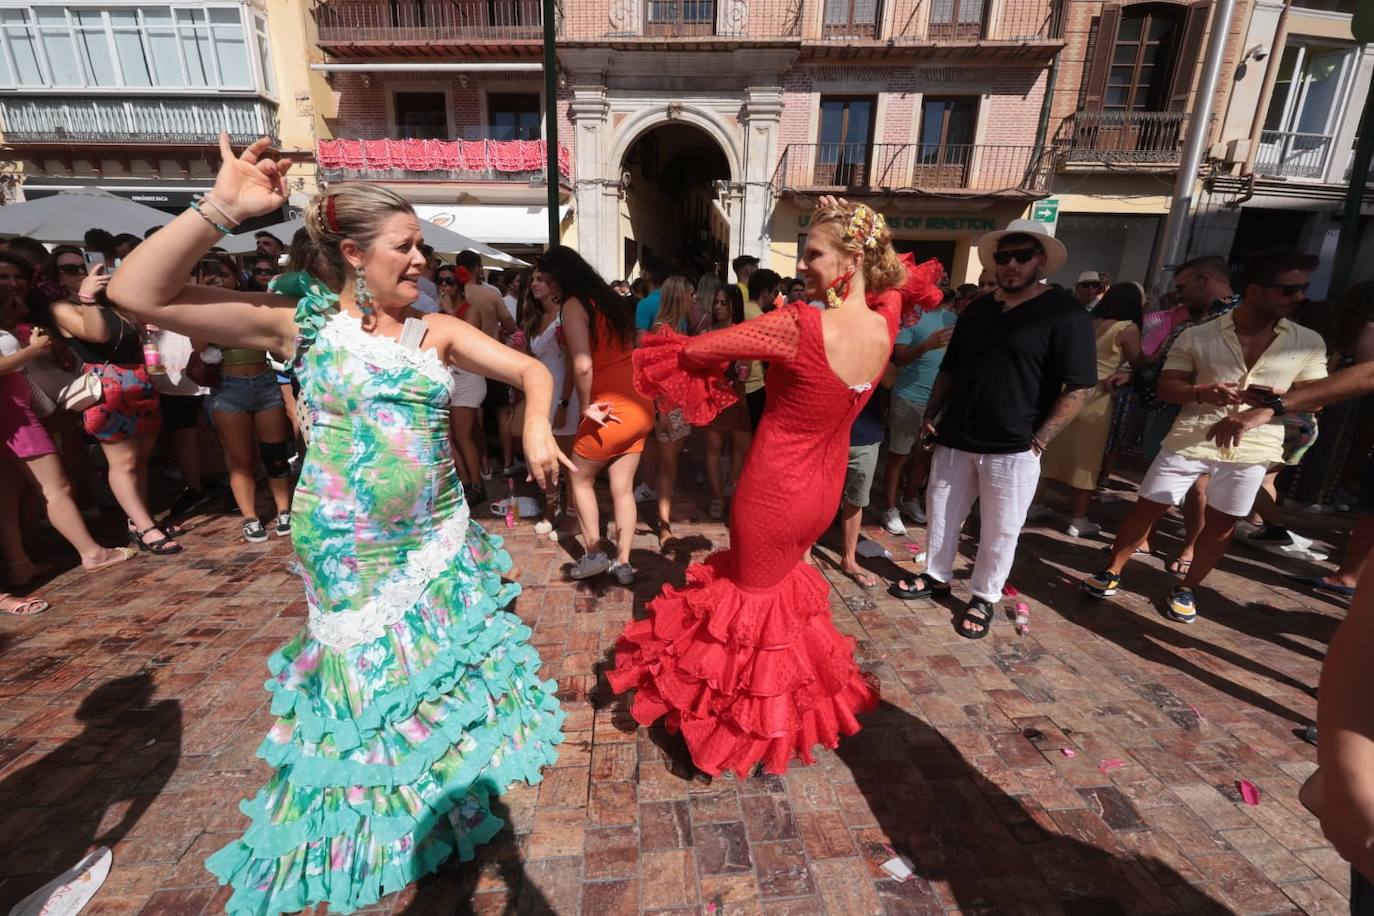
968, 170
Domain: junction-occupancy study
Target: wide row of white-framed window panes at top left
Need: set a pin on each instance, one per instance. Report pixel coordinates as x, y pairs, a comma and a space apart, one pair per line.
172, 47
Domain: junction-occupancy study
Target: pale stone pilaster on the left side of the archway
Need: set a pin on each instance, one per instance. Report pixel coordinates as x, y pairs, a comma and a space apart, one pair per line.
594, 176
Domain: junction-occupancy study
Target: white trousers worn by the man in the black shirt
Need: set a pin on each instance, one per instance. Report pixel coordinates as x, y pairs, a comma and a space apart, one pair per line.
1005, 487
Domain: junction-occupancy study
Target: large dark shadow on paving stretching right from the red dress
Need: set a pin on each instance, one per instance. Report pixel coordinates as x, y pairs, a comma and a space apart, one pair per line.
994, 852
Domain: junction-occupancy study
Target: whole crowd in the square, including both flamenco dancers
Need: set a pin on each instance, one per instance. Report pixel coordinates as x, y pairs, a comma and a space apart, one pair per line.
398, 389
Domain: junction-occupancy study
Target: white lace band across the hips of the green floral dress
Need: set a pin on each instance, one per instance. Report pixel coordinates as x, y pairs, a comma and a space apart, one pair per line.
398, 595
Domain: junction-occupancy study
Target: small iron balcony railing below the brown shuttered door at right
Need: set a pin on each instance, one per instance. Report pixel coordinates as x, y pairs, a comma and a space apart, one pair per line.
1119, 141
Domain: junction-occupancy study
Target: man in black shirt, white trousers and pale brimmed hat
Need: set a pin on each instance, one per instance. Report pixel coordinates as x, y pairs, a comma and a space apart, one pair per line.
1017, 370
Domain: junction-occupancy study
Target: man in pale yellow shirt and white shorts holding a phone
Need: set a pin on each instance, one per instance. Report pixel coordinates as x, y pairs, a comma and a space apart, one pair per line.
1213, 370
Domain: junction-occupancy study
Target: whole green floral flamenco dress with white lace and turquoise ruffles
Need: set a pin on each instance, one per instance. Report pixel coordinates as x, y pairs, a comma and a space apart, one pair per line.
413, 697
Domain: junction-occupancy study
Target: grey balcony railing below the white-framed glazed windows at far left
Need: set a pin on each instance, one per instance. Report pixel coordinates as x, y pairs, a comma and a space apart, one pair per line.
134, 122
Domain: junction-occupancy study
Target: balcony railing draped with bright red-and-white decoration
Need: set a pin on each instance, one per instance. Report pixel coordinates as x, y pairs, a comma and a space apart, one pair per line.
465, 160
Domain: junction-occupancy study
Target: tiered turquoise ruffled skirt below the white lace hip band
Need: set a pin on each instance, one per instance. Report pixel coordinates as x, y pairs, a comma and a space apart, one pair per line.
388, 753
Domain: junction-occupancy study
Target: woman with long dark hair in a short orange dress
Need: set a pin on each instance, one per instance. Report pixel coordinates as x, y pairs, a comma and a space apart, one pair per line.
600, 332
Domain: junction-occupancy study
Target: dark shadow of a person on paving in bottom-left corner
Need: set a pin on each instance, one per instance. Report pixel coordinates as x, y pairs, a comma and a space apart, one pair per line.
124, 756
